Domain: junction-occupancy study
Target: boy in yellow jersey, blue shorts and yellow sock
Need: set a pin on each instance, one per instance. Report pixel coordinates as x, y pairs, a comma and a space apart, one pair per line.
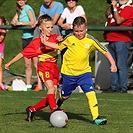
76, 70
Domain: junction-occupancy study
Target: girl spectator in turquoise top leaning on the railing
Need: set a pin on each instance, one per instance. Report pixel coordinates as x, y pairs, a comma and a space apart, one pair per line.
26, 16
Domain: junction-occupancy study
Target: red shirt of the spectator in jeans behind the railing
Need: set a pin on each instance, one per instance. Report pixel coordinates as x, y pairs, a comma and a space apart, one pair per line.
125, 11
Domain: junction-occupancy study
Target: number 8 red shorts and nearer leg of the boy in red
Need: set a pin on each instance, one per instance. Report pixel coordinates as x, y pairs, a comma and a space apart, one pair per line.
47, 77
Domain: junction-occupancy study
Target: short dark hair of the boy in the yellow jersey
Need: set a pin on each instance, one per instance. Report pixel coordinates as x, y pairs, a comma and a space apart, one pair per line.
78, 21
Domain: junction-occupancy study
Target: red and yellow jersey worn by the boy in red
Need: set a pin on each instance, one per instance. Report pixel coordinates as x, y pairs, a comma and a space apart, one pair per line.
37, 48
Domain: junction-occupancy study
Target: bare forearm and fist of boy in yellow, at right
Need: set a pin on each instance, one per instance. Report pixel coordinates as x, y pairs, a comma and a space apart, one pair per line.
113, 67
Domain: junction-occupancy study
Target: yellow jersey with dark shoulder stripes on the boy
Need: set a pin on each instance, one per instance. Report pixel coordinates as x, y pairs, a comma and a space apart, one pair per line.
76, 57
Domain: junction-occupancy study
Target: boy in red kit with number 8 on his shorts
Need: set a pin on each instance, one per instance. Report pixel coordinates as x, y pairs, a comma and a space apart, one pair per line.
47, 67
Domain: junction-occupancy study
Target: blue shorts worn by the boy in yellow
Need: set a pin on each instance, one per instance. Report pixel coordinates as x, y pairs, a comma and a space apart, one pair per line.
69, 83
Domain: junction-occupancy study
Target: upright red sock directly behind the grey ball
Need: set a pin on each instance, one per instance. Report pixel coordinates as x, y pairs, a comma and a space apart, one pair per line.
51, 101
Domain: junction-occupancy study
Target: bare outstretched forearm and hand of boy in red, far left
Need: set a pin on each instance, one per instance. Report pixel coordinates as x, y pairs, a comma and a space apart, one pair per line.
15, 59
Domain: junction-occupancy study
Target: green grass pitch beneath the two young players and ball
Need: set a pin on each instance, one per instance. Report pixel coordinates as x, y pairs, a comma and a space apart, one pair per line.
117, 108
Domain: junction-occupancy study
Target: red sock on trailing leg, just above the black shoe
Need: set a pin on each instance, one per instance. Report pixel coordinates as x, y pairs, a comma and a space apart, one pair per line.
41, 104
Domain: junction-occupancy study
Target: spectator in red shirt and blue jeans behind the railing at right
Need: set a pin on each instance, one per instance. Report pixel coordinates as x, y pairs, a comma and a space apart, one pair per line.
119, 14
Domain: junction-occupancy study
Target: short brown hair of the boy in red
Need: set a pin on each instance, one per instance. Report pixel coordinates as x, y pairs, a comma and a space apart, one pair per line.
44, 18
